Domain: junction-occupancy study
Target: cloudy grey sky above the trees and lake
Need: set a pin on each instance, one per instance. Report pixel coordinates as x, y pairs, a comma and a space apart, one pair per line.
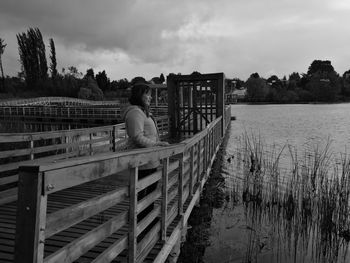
129, 38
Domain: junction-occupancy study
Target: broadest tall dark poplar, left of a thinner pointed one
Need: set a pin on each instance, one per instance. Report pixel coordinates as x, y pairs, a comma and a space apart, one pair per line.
32, 56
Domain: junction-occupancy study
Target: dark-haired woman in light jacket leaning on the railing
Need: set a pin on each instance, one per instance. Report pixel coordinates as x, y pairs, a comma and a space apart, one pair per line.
142, 132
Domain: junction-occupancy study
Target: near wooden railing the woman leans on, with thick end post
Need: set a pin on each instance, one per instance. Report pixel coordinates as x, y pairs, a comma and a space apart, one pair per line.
185, 168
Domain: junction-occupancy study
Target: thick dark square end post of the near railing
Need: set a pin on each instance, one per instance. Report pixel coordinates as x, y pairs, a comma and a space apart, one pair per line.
31, 216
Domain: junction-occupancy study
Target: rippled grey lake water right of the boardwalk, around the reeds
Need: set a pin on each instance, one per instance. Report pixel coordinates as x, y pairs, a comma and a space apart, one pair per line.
242, 232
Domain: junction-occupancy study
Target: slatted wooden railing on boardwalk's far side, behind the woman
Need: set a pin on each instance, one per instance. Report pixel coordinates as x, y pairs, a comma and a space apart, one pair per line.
22, 148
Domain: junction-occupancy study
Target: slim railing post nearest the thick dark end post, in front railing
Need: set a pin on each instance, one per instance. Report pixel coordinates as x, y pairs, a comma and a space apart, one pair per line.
133, 215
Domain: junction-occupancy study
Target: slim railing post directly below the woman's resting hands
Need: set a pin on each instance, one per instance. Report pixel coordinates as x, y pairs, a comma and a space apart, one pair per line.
164, 198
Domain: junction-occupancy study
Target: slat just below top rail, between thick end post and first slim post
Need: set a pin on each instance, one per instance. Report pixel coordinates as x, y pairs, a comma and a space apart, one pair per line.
67, 217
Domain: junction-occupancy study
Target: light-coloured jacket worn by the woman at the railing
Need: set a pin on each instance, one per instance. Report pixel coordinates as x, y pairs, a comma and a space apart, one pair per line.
142, 131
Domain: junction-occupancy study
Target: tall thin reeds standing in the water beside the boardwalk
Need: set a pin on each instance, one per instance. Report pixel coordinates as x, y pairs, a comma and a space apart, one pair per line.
307, 201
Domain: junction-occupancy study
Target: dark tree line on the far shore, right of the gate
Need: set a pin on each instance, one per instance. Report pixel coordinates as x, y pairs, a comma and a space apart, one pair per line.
321, 83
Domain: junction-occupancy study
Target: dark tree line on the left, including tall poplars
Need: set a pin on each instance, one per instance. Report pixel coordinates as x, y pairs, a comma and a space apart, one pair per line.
37, 78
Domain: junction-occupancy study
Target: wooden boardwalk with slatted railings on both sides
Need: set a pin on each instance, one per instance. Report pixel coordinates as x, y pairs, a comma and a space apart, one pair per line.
73, 208
